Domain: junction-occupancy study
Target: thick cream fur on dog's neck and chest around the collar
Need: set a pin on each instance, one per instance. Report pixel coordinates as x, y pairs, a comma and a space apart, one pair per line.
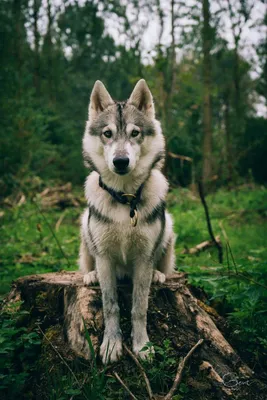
109, 225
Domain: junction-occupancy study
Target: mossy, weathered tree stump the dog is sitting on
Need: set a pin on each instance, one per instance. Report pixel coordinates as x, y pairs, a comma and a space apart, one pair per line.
61, 300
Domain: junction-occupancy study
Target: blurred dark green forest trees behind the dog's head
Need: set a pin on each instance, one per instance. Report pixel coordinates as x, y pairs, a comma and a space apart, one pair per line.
47, 74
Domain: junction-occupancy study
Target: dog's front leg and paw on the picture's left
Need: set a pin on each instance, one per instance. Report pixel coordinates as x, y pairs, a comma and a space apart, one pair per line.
111, 348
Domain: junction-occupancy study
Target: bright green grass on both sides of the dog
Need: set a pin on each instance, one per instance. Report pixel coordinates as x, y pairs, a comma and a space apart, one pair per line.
28, 246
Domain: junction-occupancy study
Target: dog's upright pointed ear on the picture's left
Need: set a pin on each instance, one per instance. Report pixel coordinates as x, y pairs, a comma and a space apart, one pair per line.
99, 100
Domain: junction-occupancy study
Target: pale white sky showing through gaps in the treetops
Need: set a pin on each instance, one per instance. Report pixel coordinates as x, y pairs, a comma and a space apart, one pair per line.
146, 25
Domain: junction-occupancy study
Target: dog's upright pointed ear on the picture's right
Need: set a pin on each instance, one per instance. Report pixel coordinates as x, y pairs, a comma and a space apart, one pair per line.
141, 98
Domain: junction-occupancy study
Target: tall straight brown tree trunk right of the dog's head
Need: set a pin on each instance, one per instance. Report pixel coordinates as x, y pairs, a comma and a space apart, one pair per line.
207, 117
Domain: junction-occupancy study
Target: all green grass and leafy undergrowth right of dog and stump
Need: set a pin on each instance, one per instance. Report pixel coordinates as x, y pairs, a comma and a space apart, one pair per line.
238, 288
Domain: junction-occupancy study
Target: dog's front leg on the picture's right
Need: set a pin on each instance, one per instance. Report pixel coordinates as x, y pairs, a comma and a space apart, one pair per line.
141, 285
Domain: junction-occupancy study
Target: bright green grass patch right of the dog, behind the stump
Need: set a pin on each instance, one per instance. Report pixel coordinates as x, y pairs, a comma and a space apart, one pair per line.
239, 217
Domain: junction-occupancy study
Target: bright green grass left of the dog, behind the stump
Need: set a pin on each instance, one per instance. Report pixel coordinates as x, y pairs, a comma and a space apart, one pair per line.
28, 246
